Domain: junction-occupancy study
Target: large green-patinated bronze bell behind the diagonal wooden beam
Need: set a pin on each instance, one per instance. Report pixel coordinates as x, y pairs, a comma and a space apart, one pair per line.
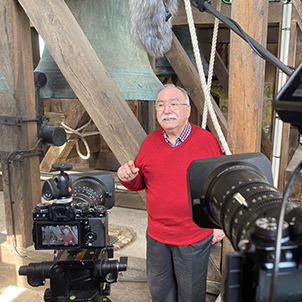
106, 25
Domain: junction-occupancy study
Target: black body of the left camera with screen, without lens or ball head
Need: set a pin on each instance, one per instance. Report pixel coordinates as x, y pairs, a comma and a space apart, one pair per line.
84, 228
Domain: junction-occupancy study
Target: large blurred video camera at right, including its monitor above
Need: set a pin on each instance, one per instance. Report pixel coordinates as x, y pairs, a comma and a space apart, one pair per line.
235, 193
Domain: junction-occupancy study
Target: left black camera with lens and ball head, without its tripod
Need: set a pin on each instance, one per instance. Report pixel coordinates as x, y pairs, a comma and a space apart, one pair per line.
77, 218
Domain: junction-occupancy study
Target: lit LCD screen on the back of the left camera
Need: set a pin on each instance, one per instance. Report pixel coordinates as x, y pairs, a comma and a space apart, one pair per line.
58, 235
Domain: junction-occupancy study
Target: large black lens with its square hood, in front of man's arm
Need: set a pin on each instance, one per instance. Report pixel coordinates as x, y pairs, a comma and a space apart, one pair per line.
232, 192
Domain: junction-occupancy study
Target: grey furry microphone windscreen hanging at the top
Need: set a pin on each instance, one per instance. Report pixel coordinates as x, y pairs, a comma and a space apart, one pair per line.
151, 24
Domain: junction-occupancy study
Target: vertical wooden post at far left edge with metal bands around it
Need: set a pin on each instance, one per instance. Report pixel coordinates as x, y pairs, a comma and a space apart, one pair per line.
18, 101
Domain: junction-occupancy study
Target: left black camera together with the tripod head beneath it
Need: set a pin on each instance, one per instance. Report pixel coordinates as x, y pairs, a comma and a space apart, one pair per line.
76, 225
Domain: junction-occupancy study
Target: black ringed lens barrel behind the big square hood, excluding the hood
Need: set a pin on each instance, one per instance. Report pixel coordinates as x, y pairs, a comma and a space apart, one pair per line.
239, 195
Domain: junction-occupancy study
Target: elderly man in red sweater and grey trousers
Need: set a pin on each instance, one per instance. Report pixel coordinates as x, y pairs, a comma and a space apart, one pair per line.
177, 249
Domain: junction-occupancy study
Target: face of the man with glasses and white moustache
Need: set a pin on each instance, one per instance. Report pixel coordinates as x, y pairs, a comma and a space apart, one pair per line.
172, 120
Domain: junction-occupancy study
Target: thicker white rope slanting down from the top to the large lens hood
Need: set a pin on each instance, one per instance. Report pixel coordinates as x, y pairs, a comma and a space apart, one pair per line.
203, 82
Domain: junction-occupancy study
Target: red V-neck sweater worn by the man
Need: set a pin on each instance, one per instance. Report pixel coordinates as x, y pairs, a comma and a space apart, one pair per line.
163, 170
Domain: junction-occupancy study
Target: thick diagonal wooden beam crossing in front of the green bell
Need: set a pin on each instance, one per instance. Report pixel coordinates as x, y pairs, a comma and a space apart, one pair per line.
87, 76
